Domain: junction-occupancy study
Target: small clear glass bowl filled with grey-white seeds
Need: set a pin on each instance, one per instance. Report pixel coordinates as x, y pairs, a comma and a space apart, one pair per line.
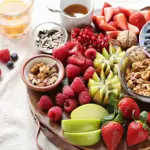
49, 35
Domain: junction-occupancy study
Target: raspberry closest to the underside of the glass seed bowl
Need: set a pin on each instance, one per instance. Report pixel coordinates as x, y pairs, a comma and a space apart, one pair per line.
60, 53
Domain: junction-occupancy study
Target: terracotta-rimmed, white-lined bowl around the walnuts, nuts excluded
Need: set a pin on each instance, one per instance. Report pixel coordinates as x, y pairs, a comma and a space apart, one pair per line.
47, 59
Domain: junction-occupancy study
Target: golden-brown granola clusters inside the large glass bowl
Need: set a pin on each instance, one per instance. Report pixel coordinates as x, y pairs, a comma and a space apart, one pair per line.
138, 77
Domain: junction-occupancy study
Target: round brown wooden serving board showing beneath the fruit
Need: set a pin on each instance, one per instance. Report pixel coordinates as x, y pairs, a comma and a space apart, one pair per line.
54, 132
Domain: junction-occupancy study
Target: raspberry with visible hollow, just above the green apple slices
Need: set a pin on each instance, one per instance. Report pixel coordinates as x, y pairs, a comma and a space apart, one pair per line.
70, 104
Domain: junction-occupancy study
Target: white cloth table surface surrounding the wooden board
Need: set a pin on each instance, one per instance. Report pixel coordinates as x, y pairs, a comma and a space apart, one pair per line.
17, 126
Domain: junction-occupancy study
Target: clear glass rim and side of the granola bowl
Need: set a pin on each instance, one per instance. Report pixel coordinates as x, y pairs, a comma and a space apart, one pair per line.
124, 85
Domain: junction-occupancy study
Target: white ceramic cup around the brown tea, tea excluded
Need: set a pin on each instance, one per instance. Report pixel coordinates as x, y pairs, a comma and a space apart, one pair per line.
72, 22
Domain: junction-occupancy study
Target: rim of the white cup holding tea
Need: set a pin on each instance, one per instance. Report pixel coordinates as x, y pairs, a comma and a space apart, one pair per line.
75, 18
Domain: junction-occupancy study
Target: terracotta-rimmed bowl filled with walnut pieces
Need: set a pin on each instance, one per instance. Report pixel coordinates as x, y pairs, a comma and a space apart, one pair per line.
42, 73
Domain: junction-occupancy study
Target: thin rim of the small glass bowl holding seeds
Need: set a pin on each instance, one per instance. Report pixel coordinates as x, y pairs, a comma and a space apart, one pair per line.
57, 24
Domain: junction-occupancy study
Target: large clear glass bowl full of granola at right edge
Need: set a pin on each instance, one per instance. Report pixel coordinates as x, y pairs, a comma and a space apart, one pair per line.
134, 73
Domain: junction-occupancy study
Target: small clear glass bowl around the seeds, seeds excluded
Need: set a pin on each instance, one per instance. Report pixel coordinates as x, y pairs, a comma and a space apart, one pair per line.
49, 26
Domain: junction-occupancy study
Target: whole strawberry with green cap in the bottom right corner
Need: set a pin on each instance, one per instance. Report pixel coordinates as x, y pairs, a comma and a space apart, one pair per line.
137, 131
